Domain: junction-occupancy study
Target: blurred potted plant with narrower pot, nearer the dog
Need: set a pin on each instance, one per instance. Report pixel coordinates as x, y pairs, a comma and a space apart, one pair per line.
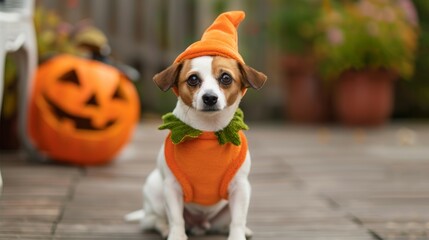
293, 27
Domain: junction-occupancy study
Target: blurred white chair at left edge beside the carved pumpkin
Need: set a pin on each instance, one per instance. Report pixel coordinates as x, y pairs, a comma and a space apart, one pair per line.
17, 36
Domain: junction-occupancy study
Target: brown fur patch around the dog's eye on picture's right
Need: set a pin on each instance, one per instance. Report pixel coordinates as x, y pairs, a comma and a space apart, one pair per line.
232, 91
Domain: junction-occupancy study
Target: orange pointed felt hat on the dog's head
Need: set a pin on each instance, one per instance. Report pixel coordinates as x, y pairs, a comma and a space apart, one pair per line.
220, 39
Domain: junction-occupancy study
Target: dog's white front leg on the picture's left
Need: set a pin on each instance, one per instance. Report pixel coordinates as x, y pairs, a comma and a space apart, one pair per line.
174, 204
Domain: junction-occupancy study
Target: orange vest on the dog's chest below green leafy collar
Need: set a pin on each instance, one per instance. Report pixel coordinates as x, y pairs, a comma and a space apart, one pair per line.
203, 167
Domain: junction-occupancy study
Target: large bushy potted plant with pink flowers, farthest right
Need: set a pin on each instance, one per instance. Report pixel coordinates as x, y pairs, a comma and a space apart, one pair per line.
365, 46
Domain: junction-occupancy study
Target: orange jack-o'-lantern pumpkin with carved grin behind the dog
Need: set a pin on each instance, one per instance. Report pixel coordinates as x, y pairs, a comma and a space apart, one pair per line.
81, 111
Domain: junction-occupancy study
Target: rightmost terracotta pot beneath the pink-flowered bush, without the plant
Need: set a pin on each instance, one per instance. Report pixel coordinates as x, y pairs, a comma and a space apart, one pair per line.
364, 97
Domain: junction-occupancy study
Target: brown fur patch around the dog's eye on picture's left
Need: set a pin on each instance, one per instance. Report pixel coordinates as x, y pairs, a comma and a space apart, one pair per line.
186, 92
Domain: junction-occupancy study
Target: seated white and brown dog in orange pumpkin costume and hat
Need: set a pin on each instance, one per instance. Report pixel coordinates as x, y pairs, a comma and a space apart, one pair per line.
201, 182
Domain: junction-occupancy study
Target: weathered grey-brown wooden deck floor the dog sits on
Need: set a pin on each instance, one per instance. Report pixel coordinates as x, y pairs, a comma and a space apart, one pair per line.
308, 183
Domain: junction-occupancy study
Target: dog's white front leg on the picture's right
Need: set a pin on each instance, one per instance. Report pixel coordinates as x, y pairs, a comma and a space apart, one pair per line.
239, 198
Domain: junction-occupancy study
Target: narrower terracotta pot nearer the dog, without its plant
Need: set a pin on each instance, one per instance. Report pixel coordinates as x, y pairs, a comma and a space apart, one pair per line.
306, 100
